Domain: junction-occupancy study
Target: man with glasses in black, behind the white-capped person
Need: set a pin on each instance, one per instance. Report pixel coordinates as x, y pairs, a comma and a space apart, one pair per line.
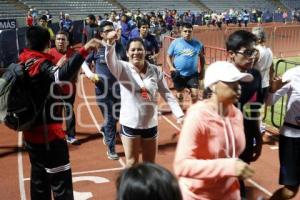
242, 53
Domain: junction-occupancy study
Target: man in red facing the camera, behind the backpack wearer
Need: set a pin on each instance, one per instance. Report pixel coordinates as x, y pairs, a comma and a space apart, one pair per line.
68, 91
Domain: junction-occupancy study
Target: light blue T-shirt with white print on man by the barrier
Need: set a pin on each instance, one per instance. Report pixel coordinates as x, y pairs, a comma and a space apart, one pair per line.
185, 55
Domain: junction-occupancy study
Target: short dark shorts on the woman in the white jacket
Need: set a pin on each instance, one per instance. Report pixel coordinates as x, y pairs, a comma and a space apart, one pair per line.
149, 133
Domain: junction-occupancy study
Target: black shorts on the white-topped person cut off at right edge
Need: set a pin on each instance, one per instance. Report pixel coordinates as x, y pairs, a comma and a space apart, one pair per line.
289, 156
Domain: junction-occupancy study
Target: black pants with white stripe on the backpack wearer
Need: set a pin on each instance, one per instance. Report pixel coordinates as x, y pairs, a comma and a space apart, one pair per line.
50, 170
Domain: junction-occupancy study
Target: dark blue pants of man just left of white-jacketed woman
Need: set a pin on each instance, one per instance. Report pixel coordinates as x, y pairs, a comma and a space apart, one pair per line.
109, 104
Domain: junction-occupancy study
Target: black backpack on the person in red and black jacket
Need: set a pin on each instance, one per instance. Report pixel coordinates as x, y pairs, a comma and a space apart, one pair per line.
18, 110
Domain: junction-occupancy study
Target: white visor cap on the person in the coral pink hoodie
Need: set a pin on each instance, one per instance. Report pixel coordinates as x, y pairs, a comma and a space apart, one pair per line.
224, 71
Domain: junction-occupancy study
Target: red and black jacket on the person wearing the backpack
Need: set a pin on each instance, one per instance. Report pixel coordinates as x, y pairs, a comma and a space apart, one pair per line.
42, 75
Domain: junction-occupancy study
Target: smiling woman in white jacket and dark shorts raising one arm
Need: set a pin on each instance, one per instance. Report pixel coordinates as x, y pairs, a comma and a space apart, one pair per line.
140, 83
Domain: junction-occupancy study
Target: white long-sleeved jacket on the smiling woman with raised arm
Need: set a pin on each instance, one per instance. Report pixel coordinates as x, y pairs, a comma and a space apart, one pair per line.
136, 112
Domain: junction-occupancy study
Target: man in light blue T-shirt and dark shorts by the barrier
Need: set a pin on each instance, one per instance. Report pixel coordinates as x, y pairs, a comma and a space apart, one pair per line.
182, 60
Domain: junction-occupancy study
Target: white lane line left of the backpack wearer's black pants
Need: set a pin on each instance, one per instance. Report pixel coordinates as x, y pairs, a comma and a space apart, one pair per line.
20, 167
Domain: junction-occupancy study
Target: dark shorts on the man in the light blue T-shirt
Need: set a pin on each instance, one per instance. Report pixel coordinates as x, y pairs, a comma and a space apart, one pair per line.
181, 82
